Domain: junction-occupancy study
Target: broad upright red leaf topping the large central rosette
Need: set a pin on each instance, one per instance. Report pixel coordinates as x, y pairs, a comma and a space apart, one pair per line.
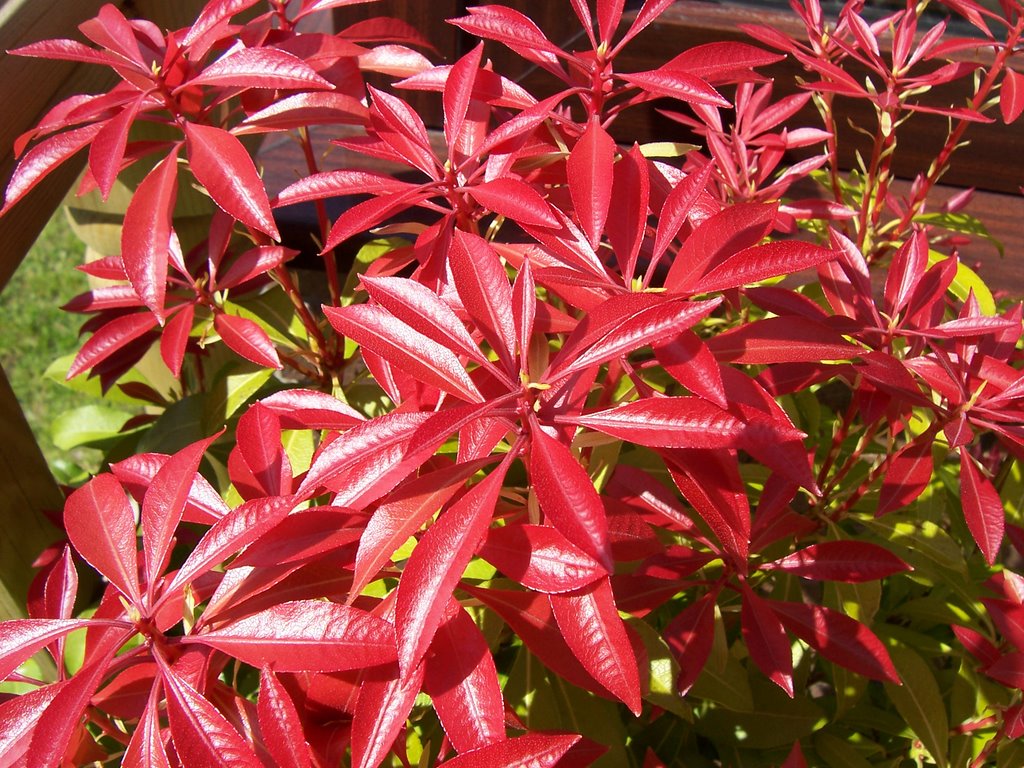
484, 288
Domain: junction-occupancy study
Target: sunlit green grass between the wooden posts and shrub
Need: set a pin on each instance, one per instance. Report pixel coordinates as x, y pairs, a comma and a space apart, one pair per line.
34, 331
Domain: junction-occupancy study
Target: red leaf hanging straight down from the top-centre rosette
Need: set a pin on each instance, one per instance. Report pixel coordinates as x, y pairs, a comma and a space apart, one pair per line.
589, 170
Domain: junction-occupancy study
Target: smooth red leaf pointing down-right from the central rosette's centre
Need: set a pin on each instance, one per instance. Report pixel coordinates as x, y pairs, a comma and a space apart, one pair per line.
568, 496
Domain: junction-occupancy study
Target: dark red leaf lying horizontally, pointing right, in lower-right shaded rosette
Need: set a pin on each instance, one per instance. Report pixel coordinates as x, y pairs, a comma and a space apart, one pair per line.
841, 562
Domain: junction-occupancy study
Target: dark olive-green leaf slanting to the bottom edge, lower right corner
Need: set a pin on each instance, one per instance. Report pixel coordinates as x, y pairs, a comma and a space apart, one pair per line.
920, 702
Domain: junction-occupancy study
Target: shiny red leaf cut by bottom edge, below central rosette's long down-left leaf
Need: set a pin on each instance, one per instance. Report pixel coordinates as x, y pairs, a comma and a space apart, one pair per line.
381, 712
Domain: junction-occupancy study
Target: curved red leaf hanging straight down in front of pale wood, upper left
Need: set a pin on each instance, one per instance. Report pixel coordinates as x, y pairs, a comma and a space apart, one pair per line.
147, 233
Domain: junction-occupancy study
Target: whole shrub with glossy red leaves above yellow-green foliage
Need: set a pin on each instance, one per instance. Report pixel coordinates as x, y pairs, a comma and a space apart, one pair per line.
604, 453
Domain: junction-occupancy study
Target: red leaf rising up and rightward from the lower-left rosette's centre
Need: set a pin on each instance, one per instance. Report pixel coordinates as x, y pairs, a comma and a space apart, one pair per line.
164, 506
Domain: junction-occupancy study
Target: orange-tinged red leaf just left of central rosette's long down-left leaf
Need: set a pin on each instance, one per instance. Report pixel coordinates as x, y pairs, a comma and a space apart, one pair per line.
404, 514
